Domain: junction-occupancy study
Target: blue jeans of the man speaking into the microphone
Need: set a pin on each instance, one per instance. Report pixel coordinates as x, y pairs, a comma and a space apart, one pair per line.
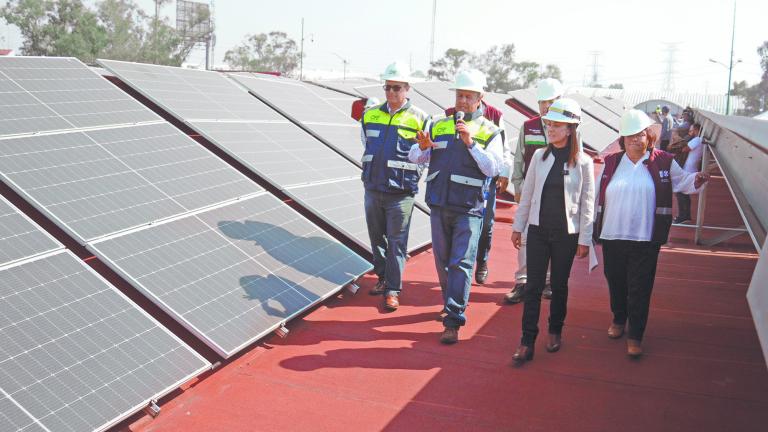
454, 244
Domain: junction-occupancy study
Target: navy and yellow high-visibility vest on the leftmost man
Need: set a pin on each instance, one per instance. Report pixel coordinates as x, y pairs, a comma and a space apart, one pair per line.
388, 139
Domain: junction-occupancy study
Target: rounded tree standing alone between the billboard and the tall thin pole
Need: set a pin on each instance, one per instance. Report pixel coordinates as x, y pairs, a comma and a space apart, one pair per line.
272, 52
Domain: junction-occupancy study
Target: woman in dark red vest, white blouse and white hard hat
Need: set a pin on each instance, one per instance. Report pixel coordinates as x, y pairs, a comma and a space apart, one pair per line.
634, 215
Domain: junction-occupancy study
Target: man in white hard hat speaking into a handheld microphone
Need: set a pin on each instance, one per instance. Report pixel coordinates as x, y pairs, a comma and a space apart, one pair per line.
464, 152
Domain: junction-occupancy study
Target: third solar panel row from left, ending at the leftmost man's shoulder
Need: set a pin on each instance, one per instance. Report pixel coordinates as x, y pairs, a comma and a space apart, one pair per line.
304, 106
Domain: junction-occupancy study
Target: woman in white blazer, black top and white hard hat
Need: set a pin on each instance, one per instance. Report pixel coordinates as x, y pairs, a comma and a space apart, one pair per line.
557, 208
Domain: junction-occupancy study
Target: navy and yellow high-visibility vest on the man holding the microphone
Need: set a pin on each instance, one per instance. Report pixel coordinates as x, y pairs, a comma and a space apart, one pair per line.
455, 182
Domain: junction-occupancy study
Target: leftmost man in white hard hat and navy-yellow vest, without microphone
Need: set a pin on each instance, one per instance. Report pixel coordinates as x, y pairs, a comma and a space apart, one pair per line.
390, 180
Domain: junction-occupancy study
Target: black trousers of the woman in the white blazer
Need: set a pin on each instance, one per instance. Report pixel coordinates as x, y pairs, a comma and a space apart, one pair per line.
545, 246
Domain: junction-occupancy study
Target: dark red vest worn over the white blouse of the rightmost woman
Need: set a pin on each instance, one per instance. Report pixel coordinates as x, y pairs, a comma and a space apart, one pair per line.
659, 165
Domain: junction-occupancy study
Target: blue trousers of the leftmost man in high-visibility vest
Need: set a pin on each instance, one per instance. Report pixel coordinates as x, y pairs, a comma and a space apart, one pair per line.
389, 219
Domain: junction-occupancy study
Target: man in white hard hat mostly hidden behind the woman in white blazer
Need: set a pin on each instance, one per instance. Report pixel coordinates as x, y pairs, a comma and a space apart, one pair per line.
533, 136
